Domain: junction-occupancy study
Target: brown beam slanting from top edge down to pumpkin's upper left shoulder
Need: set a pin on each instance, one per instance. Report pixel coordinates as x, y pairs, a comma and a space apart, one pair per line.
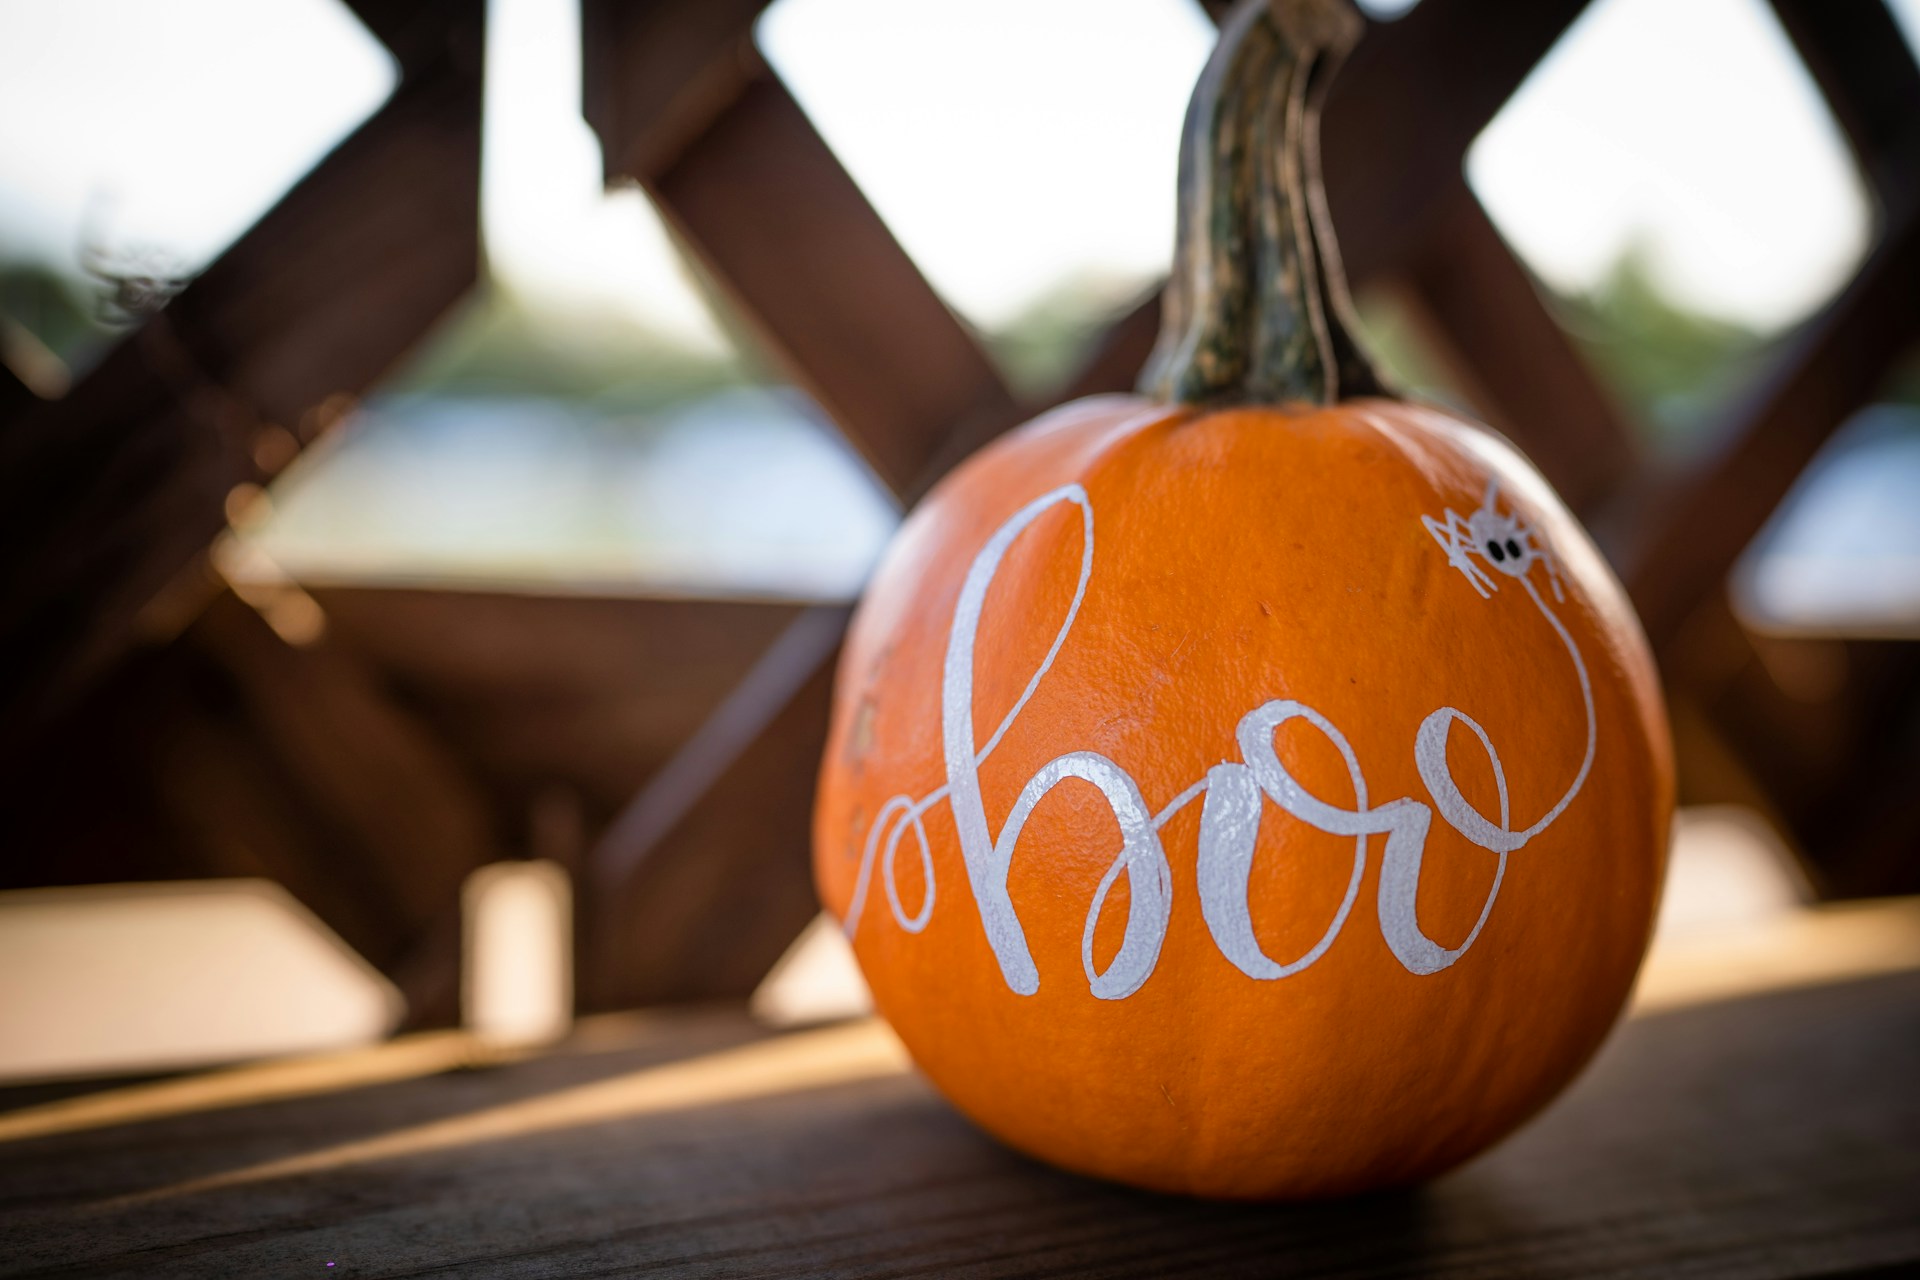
686, 107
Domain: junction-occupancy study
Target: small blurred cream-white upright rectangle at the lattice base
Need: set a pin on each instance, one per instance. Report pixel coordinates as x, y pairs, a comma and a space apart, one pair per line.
517, 976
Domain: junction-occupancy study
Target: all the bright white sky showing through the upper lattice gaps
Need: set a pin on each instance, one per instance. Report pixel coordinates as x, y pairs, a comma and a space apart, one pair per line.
1020, 143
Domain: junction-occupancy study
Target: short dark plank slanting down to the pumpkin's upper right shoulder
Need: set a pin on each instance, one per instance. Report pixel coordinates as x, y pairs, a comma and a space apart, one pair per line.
1485, 318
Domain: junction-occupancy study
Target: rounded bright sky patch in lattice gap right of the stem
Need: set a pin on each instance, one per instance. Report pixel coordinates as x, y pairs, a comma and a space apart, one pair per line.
1691, 128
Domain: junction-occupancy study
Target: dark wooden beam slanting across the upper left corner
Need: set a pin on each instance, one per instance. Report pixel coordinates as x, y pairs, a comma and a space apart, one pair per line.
116, 488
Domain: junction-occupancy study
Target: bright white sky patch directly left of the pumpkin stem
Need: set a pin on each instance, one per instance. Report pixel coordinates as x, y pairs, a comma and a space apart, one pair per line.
1009, 143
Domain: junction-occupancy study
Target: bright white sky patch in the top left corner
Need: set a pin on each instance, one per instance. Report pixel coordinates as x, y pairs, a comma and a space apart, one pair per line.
168, 124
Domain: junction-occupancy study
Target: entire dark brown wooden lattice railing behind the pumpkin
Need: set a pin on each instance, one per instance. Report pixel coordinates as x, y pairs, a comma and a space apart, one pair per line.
155, 726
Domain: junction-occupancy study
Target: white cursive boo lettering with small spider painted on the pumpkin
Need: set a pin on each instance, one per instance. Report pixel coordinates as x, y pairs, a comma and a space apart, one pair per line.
1236, 794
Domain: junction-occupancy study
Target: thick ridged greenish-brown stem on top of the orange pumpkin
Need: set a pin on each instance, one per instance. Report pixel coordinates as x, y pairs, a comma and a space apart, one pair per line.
1257, 310
